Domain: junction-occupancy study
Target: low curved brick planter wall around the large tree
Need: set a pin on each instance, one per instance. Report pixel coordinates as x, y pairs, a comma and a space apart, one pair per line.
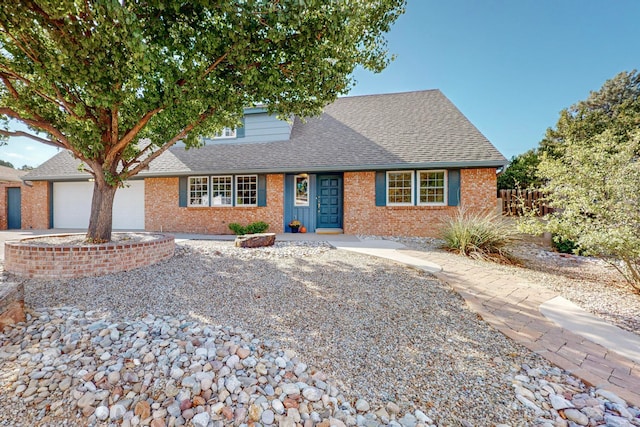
27, 259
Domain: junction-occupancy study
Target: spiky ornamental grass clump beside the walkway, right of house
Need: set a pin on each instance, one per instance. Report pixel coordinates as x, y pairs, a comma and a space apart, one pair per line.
478, 235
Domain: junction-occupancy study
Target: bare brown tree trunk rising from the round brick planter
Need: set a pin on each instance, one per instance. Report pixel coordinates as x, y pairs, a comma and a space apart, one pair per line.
100, 222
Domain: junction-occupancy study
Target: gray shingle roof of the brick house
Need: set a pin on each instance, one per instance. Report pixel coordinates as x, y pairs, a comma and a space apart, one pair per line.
403, 130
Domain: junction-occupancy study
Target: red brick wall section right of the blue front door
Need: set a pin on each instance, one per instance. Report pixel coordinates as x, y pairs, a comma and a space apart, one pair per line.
362, 216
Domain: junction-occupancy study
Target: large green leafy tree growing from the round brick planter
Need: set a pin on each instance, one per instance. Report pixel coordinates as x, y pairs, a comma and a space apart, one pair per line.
118, 82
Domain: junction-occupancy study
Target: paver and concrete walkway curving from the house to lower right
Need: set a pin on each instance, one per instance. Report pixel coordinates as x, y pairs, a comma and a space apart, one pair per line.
512, 306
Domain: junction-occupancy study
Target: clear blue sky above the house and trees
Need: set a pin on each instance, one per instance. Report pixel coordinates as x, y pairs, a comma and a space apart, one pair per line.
509, 65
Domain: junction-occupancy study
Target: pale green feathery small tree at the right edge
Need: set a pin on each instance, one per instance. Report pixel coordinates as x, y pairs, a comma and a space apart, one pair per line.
593, 175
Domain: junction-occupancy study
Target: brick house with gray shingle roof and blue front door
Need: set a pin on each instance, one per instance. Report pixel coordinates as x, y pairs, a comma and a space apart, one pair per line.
391, 164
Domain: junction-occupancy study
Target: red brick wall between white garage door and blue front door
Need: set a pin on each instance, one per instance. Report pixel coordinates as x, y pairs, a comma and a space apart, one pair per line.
163, 213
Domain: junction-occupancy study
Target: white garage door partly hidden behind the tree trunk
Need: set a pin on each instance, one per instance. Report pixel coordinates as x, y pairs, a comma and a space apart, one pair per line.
72, 205
